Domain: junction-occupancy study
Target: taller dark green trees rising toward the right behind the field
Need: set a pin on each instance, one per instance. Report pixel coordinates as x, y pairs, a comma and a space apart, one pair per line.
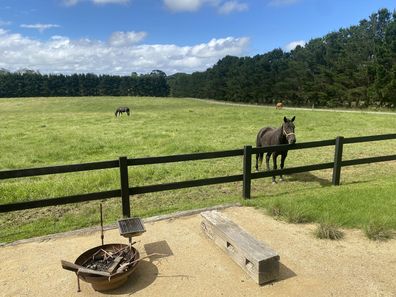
352, 67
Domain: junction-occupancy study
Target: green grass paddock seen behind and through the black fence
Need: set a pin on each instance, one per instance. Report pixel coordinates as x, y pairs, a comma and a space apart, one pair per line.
39, 132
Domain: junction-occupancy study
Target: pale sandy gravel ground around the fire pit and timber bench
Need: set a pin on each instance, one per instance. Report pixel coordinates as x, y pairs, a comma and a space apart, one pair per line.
195, 266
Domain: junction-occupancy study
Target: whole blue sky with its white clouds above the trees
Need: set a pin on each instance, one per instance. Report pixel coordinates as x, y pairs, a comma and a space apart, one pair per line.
124, 36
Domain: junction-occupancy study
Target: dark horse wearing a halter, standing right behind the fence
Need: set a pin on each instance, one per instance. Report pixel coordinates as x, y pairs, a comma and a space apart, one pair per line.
274, 136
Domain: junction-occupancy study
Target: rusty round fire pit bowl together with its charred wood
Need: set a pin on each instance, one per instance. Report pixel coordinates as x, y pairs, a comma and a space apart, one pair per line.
106, 267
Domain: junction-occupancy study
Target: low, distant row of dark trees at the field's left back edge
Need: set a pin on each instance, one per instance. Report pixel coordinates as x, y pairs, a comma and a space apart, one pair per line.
28, 83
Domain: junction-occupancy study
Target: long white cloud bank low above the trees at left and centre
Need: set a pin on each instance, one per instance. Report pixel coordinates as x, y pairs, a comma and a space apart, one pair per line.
61, 54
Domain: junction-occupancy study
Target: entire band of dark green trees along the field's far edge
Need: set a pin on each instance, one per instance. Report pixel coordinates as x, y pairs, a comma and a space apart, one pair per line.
352, 67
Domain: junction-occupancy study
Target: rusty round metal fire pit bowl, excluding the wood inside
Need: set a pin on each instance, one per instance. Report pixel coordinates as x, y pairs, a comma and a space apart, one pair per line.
103, 283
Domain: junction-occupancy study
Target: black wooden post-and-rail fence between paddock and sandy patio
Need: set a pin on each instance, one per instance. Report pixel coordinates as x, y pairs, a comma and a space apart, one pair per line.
247, 175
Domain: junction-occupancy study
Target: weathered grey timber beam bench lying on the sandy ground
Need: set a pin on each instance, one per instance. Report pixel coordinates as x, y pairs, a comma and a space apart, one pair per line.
256, 258
